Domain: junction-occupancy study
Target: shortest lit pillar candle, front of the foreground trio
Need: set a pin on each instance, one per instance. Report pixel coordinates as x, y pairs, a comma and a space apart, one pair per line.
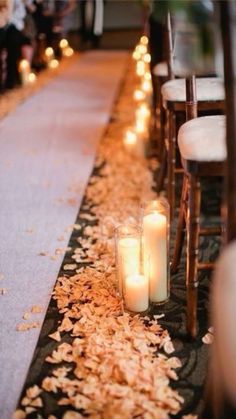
136, 293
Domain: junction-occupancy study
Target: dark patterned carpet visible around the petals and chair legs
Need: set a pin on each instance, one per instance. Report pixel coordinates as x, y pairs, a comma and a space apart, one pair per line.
193, 354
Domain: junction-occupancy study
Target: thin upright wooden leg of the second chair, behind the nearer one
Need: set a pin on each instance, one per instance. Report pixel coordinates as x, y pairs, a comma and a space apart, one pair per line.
171, 163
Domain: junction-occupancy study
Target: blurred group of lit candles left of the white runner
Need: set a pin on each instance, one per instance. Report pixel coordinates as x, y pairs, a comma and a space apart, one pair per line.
29, 77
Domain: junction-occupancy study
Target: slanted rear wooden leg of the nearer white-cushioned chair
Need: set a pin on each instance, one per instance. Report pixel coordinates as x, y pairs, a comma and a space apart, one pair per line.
180, 232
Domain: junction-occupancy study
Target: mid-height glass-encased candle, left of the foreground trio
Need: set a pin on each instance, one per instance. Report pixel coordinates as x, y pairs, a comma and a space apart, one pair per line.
128, 252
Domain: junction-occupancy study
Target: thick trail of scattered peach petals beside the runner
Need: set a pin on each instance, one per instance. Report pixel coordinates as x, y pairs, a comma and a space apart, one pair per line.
106, 363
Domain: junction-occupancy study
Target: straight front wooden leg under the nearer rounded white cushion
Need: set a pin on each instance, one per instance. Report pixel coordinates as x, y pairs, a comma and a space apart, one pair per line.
193, 227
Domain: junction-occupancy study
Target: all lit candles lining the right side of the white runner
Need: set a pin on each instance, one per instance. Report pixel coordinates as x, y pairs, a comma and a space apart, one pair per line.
142, 250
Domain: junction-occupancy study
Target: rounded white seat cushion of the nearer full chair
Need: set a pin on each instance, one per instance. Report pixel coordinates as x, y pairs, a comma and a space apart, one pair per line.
203, 139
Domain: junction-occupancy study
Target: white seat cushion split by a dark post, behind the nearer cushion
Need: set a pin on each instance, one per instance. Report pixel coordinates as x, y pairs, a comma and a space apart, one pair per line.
208, 88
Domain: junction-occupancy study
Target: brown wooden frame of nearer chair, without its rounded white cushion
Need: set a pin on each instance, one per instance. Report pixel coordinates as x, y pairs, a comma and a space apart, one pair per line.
189, 216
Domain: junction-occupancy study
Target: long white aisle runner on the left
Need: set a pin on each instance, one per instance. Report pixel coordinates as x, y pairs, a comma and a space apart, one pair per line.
47, 151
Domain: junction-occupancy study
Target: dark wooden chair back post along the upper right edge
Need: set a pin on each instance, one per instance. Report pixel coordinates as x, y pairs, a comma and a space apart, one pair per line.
228, 30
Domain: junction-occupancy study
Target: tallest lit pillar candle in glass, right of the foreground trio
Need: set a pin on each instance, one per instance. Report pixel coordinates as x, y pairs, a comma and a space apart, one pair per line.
156, 248
